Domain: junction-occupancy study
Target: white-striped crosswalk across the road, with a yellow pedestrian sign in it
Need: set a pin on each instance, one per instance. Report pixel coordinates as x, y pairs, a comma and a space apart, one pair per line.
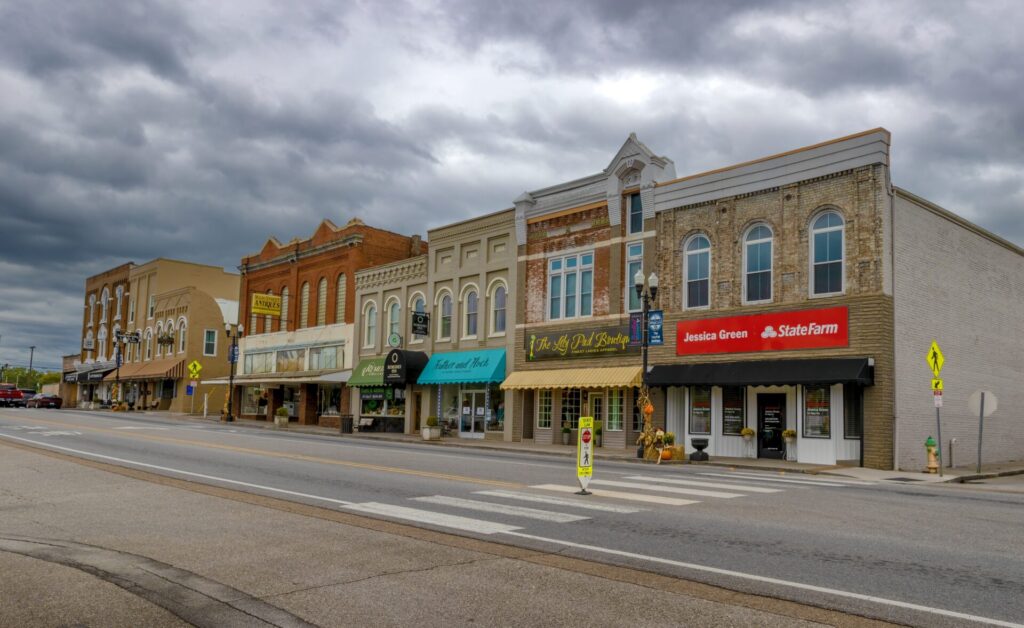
550, 504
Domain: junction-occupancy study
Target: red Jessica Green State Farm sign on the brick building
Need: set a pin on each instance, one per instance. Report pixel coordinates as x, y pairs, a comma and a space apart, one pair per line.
805, 329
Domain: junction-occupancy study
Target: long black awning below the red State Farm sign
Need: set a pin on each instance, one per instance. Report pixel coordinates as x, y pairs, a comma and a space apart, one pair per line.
765, 373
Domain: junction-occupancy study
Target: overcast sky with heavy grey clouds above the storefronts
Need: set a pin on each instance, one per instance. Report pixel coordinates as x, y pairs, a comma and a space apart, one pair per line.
136, 130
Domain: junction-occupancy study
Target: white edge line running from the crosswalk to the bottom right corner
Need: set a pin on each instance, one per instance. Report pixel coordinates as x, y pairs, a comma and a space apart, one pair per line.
774, 581
